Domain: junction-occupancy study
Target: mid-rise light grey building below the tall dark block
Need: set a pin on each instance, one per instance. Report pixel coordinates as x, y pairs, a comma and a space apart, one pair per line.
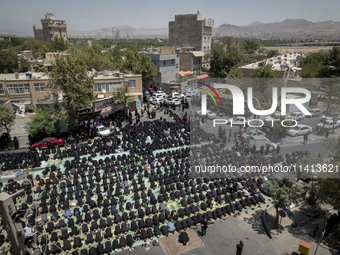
167, 62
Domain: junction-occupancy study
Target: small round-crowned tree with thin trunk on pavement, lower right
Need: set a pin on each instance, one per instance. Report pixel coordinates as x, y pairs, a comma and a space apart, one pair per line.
284, 192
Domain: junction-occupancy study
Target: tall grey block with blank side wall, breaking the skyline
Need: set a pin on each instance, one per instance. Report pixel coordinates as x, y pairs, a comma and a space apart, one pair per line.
191, 31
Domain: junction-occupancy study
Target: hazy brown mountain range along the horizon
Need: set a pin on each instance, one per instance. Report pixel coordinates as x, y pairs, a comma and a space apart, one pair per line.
299, 29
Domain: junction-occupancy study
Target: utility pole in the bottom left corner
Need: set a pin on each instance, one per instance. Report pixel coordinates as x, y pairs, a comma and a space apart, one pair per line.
14, 228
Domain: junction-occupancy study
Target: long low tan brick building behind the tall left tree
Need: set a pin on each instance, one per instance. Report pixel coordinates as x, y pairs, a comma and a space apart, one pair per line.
28, 90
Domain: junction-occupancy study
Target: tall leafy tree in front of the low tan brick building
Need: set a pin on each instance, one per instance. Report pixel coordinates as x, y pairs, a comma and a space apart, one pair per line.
71, 78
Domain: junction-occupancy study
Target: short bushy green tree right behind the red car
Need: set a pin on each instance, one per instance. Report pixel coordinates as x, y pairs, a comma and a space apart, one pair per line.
42, 124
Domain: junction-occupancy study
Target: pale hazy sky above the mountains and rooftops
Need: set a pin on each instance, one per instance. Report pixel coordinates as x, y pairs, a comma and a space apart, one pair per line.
18, 16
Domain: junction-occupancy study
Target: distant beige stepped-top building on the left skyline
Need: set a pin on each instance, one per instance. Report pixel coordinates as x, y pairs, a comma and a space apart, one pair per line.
51, 28
